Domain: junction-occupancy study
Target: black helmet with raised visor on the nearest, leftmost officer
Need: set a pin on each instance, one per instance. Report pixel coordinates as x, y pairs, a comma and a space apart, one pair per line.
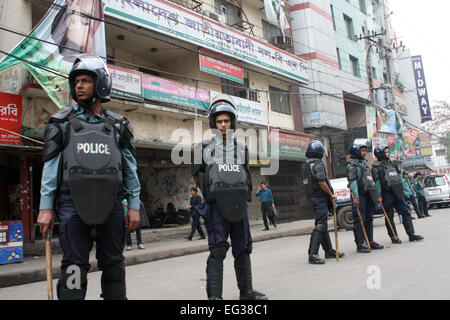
95, 66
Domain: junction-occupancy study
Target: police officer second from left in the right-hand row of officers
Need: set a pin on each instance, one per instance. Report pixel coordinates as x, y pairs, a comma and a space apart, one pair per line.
364, 195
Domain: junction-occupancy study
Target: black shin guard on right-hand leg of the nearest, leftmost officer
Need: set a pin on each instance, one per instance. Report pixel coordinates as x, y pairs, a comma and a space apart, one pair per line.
113, 282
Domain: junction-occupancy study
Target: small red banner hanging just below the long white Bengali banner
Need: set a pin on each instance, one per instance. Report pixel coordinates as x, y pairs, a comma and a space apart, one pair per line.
220, 68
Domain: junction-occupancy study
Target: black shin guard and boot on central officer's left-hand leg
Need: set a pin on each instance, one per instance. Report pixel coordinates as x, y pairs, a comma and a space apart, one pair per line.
214, 272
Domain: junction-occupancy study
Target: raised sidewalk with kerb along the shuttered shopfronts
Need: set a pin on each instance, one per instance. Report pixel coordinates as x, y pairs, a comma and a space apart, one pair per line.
171, 244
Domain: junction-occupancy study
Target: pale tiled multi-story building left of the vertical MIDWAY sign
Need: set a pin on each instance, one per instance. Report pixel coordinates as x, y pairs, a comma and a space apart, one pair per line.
337, 38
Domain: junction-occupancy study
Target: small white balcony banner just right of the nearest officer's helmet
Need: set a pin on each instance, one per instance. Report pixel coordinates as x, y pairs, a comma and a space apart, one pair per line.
126, 83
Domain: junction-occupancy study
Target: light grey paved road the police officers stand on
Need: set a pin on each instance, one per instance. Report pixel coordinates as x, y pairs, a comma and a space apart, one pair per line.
417, 270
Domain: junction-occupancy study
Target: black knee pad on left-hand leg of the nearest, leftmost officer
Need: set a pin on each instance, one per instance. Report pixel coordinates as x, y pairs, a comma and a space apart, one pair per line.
73, 283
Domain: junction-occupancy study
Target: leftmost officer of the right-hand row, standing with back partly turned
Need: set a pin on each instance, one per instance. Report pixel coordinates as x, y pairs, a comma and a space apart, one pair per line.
321, 195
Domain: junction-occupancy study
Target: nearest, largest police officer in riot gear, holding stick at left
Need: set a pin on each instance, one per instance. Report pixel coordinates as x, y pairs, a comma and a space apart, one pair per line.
89, 168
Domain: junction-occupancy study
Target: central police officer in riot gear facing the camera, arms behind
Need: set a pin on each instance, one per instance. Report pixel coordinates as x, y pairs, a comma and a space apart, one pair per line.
224, 178
